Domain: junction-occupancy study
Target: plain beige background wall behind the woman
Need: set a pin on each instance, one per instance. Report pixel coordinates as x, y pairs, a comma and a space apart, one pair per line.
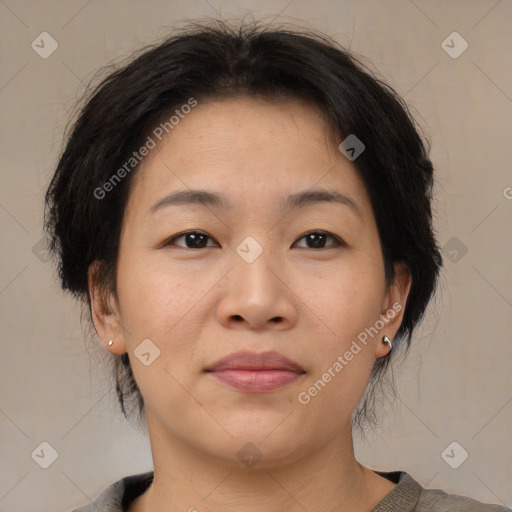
456, 383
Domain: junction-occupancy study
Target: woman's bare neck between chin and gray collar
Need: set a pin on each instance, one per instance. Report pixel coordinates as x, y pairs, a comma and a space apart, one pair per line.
328, 479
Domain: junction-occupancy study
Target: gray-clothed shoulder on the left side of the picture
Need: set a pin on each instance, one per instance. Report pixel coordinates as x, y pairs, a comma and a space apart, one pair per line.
116, 496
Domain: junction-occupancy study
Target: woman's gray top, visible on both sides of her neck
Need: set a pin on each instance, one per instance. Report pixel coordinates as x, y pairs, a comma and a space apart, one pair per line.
407, 496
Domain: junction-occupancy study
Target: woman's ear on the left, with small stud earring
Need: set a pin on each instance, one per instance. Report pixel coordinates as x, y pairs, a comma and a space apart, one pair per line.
105, 311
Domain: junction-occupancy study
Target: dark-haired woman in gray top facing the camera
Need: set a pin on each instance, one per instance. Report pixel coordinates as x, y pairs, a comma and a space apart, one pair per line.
247, 215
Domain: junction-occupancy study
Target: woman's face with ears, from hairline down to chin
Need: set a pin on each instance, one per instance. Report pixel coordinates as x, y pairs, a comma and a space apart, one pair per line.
259, 272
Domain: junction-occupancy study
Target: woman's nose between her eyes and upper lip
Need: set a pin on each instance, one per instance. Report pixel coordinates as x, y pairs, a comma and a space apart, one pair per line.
258, 296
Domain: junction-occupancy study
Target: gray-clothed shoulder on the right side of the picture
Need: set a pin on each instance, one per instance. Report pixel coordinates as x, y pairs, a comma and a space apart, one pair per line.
409, 496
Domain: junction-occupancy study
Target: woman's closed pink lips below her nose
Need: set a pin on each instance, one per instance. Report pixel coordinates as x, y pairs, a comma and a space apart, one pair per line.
256, 372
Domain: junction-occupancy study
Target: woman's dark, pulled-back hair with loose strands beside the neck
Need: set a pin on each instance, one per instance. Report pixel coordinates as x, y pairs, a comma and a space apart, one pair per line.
213, 60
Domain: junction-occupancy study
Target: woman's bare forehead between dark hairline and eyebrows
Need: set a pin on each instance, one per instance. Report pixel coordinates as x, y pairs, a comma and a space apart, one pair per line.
246, 148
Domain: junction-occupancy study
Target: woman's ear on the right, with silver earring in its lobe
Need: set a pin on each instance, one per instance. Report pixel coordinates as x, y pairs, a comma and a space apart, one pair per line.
393, 307
